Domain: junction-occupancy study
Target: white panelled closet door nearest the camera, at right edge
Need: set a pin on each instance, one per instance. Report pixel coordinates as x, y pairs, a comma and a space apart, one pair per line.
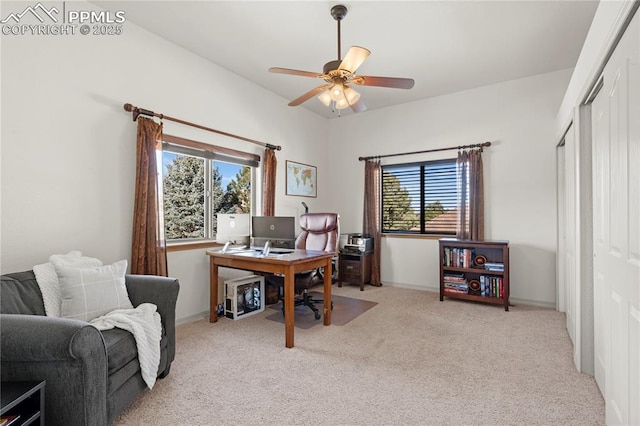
616, 198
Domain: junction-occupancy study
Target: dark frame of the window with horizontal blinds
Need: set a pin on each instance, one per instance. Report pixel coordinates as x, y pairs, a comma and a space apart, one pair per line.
422, 232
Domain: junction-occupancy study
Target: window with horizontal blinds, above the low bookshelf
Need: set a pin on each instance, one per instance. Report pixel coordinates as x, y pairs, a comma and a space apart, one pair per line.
420, 198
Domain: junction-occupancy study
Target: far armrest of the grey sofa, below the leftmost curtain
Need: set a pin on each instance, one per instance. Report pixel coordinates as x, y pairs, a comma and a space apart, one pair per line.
162, 292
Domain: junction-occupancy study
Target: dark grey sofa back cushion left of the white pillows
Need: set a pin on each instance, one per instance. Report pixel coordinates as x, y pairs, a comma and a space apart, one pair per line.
20, 294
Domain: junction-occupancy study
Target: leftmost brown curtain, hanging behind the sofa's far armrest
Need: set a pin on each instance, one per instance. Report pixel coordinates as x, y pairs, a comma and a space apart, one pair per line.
148, 254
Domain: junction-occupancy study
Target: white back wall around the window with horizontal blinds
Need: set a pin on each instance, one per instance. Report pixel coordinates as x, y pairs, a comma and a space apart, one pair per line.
520, 189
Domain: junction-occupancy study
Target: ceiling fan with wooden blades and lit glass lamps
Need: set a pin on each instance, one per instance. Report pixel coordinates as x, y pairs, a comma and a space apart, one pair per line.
338, 74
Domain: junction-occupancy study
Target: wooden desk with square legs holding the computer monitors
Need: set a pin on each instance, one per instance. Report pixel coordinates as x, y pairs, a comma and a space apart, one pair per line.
286, 264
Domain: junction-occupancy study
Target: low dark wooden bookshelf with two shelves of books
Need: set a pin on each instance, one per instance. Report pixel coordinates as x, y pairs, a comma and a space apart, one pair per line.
475, 270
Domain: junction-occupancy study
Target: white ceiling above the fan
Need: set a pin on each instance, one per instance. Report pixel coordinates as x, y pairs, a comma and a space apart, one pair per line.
445, 46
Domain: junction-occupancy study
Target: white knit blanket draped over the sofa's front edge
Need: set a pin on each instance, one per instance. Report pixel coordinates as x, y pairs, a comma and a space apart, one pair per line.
144, 323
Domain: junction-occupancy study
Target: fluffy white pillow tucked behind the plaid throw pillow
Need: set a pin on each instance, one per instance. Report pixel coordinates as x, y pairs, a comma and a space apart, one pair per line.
48, 279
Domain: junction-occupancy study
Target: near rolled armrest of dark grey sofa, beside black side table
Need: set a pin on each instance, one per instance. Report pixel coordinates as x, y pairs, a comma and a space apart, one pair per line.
69, 354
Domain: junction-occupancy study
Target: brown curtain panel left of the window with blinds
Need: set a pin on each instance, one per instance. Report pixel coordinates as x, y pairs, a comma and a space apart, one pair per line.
371, 216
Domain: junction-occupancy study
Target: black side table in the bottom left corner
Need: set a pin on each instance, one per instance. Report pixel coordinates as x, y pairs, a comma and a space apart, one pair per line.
23, 401
